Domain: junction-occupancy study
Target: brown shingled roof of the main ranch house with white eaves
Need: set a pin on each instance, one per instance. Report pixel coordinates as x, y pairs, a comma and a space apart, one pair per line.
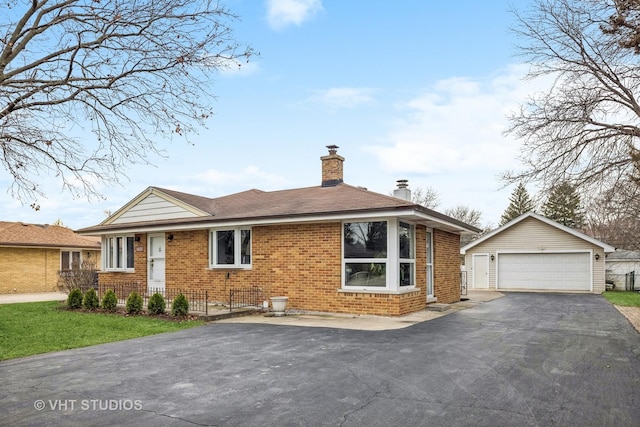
263, 207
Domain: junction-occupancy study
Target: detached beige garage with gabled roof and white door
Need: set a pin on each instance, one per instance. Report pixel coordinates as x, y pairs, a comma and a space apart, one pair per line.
533, 253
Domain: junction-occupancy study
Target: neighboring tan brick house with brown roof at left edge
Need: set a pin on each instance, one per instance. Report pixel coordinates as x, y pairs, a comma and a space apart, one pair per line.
31, 255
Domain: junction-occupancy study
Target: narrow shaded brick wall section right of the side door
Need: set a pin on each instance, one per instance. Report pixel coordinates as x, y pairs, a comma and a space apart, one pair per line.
446, 265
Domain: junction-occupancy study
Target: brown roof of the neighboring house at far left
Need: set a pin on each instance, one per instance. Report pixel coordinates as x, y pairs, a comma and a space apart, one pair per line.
44, 235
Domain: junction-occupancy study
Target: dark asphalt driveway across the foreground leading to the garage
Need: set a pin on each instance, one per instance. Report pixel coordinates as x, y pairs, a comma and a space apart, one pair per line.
523, 360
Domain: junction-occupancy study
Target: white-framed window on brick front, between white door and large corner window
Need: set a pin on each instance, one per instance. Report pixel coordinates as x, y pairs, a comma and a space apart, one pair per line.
230, 248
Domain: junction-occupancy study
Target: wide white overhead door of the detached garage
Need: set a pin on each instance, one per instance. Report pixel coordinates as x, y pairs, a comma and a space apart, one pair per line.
549, 271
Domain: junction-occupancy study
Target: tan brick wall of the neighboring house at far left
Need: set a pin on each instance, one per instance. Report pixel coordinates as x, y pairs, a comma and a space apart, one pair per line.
31, 270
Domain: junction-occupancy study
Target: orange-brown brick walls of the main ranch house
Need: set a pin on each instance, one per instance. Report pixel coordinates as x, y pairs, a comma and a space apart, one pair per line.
301, 261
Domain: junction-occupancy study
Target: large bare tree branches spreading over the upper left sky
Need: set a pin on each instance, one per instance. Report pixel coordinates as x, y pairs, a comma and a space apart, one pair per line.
88, 87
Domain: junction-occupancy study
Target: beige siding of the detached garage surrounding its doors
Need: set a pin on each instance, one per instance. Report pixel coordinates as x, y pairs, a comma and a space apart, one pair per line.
534, 236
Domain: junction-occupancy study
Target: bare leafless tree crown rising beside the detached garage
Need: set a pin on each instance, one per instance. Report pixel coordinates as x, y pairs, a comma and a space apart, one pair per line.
585, 128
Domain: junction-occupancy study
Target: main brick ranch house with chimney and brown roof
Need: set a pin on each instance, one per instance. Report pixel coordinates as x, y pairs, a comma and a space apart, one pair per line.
332, 248
